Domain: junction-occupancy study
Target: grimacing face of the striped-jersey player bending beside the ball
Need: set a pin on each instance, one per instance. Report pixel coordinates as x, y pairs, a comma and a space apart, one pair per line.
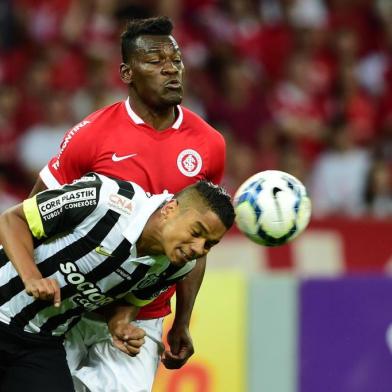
190, 234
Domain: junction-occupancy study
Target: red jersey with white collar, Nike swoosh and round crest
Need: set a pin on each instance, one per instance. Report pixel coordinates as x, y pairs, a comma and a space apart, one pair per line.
116, 142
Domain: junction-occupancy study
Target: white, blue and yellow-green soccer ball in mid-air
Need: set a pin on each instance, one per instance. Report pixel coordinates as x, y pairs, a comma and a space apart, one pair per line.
272, 208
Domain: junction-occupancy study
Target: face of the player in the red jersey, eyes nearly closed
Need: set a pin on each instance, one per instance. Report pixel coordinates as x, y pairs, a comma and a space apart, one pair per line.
157, 71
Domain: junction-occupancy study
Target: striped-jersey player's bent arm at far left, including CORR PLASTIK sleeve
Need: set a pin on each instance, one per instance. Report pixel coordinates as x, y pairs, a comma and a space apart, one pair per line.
42, 216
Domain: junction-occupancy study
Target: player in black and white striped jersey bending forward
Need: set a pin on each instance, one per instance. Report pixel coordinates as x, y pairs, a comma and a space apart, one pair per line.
80, 247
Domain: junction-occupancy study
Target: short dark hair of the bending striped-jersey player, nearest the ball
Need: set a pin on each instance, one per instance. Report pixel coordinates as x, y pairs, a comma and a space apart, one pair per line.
215, 197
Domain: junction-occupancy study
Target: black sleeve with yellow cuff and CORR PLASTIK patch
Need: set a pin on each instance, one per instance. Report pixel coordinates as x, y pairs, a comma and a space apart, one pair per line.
55, 211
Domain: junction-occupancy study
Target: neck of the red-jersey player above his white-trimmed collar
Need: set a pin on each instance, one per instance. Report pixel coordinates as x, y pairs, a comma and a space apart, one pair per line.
158, 118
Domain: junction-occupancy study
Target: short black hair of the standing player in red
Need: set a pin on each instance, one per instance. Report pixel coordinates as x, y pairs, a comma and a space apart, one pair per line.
160, 25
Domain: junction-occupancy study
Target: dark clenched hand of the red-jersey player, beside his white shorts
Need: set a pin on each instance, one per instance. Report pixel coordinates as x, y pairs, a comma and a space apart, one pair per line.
181, 348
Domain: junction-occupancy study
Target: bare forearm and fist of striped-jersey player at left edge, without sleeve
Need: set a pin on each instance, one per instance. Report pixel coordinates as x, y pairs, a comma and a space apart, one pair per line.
17, 240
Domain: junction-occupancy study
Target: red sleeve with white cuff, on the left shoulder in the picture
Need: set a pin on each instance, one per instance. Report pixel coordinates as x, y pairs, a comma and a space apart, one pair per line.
76, 155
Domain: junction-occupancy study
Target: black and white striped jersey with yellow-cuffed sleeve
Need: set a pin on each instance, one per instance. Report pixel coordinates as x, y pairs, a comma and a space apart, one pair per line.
84, 236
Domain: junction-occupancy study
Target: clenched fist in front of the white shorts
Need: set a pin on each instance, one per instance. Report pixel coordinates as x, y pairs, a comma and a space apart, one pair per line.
127, 337
